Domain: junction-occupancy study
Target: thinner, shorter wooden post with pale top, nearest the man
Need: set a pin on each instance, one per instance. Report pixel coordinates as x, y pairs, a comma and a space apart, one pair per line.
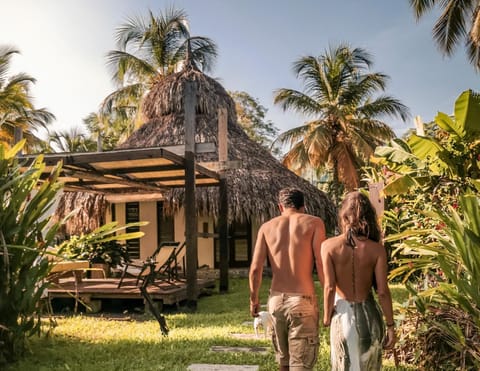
223, 191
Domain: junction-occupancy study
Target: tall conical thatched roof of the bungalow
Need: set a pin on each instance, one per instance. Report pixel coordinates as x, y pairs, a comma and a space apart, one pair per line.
252, 188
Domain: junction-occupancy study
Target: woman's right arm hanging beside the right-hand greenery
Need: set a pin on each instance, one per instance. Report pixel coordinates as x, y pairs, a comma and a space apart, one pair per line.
384, 296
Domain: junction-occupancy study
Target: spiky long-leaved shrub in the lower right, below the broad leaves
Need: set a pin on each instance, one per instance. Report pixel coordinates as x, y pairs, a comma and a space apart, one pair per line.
450, 304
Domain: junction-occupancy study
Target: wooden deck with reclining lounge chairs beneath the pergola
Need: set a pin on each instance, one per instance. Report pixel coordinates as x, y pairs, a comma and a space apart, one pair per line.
160, 277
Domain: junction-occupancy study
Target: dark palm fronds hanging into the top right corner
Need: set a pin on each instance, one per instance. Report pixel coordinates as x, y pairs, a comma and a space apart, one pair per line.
459, 21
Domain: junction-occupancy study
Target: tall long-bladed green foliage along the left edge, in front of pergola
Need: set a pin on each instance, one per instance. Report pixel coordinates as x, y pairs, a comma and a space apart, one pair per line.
25, 234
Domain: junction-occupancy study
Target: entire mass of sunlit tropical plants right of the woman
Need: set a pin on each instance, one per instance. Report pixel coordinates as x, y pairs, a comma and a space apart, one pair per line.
432, 185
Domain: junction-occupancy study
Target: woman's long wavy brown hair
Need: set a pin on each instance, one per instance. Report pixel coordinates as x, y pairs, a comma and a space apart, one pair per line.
358, 217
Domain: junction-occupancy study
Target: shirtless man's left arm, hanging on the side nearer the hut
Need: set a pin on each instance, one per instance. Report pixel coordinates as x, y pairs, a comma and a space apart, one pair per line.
256, 271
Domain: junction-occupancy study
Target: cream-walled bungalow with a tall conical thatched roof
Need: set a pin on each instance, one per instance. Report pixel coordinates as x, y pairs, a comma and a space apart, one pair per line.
252, 184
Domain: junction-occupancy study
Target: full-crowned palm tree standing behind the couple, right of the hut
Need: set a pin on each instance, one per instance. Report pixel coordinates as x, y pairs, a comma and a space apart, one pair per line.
345, 127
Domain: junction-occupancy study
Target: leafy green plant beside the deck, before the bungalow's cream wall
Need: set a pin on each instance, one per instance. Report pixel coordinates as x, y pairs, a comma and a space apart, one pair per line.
101, 245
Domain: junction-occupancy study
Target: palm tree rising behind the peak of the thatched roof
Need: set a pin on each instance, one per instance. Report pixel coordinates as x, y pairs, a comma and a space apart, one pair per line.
149, 49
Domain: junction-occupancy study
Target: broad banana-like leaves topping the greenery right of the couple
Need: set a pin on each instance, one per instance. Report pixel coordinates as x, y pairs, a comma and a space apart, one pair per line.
450, 157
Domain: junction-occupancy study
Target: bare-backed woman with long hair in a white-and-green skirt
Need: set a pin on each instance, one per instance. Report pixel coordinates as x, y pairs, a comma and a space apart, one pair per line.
351, 262
